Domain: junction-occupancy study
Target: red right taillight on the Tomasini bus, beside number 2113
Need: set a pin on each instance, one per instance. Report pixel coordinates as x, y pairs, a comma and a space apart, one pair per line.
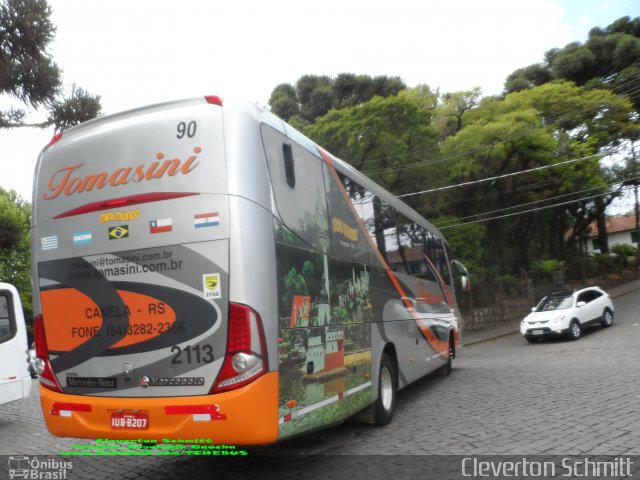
246, 357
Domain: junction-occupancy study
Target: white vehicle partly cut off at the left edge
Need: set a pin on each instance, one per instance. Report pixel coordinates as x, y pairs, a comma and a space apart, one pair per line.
15, 380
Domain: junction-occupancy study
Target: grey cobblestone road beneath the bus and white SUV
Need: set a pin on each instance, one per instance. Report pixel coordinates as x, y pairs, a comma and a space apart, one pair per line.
504, 397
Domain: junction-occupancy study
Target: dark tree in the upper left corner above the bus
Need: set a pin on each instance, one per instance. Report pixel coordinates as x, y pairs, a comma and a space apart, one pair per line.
29, 75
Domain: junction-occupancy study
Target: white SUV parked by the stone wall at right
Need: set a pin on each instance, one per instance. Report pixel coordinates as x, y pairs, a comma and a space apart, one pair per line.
567, 312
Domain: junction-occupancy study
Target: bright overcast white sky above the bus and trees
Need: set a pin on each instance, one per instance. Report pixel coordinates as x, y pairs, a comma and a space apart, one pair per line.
137, 53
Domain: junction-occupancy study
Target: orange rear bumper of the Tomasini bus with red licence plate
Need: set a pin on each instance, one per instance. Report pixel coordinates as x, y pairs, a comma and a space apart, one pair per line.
246, 416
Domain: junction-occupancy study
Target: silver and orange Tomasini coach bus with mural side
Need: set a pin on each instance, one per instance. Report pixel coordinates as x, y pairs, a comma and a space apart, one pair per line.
204, 271
